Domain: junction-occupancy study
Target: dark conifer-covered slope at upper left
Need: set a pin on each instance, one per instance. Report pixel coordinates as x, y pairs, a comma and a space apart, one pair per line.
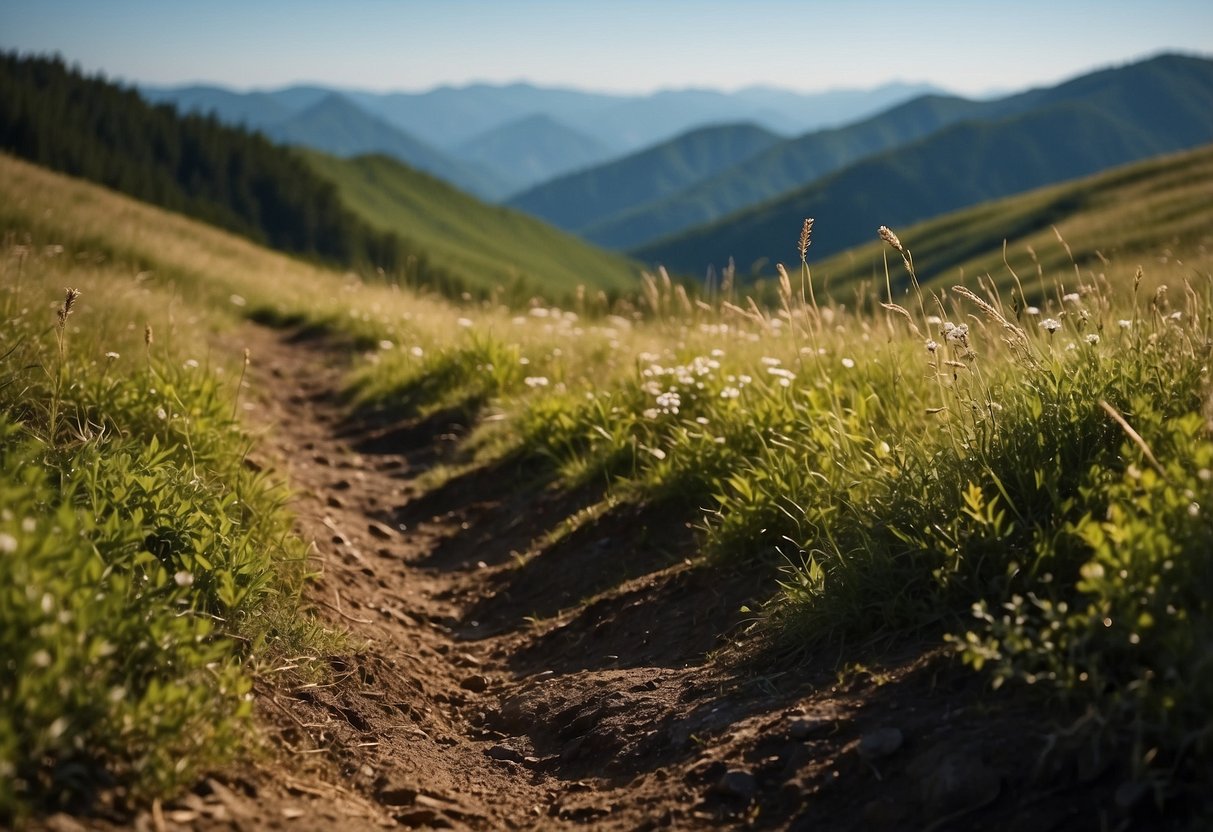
236, 180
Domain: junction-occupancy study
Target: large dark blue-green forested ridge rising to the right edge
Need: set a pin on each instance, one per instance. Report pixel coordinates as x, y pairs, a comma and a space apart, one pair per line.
1041, 138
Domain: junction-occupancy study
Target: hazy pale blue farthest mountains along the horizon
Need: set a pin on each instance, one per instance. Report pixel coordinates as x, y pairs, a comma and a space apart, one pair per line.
494, 141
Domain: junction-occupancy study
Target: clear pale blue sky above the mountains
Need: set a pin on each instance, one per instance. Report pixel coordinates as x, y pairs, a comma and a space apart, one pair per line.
622, 45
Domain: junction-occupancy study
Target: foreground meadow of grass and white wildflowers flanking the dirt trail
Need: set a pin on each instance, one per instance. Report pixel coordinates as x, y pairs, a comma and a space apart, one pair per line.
1026, 489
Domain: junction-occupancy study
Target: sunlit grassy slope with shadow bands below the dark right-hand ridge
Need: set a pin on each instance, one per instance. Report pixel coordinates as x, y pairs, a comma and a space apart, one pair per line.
1132, 214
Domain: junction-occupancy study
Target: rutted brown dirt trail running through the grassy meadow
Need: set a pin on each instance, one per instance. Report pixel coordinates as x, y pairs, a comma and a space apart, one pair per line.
512, 671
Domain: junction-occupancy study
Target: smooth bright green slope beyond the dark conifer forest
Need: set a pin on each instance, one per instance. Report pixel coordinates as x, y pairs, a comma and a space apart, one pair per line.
485, 246
